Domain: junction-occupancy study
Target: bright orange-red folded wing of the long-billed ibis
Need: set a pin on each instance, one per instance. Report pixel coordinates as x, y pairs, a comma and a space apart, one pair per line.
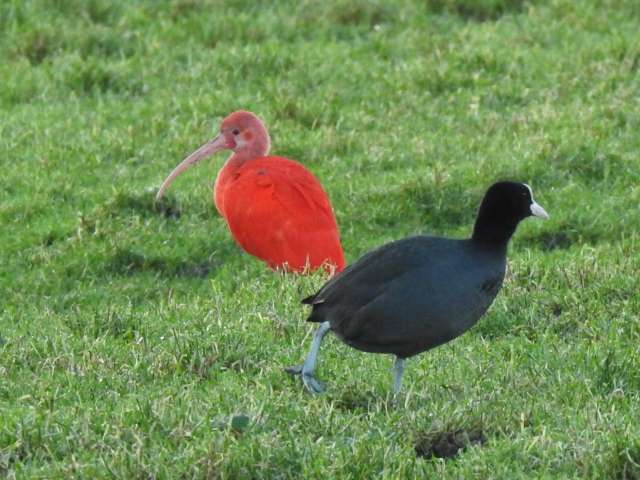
277, 210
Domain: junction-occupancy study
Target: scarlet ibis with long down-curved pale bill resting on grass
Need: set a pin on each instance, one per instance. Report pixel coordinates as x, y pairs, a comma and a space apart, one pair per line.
275, 208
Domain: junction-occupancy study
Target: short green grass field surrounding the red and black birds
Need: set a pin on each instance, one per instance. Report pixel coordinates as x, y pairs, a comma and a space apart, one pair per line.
136, 342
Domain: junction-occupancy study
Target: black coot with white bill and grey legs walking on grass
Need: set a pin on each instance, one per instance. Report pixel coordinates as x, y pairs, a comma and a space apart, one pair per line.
414, 294
